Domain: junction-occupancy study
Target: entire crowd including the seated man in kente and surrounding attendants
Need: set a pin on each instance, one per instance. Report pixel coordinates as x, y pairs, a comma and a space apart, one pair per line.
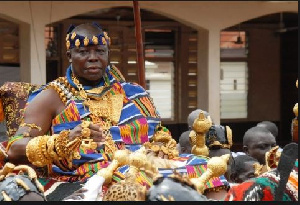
92, 136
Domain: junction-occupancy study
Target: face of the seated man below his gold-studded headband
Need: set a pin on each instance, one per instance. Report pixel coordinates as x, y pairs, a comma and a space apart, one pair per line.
89, 62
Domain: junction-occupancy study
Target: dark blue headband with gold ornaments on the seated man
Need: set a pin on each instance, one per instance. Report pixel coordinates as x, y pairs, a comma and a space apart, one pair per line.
75, 40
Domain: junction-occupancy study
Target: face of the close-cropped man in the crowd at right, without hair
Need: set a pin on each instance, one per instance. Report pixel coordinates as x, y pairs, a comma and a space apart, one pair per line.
259, 145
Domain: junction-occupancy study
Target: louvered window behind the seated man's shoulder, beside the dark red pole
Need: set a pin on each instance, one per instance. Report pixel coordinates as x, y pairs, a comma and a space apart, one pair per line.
159, 67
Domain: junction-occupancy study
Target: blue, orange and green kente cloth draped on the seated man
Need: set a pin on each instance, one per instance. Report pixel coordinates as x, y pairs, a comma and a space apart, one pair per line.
136, 125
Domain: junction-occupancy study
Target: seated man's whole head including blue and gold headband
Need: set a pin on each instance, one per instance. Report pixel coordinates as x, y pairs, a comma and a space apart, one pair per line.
88, 52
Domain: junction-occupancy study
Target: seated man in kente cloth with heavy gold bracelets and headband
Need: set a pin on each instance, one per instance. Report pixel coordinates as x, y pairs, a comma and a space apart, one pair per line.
72, 125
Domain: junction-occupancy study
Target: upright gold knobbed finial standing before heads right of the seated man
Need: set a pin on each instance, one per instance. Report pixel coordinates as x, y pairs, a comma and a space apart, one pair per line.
200, 126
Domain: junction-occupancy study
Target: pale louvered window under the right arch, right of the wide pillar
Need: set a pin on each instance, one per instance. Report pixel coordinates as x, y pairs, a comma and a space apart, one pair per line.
234, 75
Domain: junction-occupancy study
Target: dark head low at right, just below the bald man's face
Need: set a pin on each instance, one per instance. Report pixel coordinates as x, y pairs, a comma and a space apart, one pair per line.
242, 168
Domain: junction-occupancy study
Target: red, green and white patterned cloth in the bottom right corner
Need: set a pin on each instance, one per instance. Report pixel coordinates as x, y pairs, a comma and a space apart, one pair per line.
263, 187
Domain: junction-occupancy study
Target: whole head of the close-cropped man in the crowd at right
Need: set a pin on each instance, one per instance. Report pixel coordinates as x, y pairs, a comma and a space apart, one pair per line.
257, 141
